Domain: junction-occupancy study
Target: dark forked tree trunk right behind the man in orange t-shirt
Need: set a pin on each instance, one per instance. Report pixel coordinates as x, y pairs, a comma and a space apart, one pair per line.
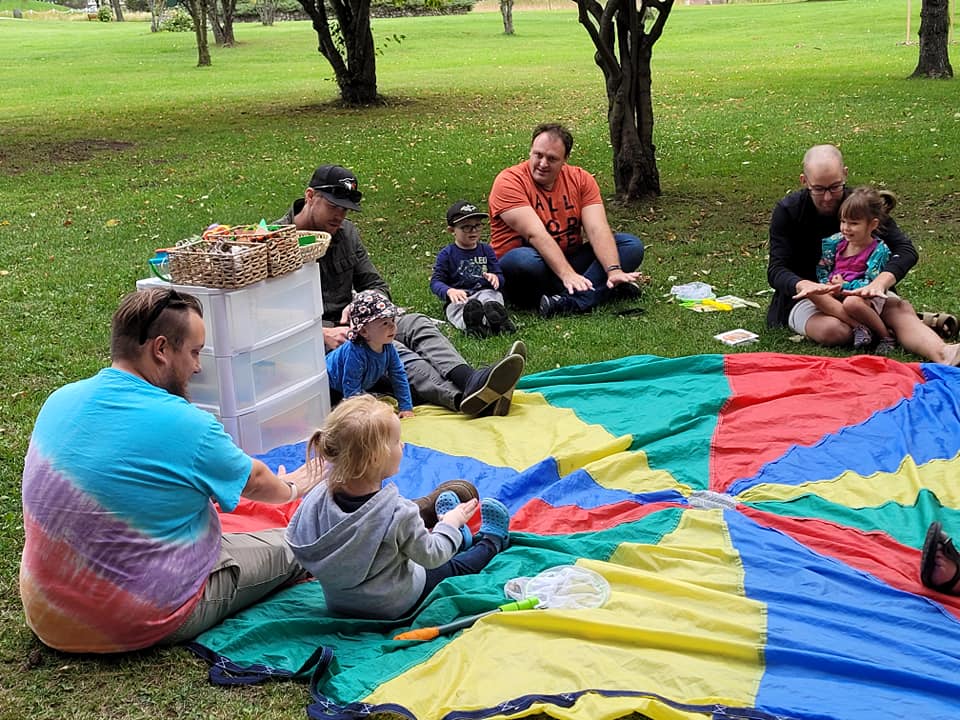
623, 33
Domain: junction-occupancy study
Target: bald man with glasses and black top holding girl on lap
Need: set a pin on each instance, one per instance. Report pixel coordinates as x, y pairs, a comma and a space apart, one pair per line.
799, 223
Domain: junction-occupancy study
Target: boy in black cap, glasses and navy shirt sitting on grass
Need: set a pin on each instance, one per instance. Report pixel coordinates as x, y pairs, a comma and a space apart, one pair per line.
467, 276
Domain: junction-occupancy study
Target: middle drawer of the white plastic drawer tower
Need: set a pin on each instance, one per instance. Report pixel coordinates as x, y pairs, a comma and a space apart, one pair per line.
230, 386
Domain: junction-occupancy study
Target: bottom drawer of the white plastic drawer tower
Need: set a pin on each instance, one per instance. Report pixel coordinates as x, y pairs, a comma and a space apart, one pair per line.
284, 419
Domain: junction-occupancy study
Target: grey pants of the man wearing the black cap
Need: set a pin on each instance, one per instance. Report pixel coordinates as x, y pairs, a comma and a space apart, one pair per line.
428, 357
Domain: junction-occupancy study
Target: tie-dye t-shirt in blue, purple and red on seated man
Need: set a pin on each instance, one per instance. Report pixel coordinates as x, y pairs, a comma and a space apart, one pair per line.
120, 529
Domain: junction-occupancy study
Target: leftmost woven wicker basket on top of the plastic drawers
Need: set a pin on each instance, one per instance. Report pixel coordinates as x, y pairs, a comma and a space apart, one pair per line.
221, 263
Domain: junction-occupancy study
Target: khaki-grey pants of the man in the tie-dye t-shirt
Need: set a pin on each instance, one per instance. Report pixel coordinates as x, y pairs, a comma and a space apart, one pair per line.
250, 567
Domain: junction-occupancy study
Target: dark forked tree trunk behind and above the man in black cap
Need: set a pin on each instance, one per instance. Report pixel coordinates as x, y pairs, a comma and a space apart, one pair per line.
347, 44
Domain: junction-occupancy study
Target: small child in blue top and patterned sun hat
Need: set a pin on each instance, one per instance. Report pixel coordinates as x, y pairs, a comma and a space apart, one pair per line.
369, 356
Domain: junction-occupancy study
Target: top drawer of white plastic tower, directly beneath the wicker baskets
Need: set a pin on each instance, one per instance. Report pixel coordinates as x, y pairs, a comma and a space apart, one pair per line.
257, 315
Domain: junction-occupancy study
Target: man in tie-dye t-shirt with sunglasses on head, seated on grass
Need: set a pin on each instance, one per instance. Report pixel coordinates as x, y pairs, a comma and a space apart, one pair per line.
123, 547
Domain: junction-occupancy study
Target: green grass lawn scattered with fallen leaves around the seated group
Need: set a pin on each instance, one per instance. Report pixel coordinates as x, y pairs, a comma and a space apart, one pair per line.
114, 143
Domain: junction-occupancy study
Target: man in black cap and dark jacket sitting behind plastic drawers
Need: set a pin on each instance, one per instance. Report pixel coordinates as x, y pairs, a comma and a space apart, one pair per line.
438, 374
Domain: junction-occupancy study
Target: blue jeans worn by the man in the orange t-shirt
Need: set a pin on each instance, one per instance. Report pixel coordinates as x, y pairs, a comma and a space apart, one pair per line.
527, 276
